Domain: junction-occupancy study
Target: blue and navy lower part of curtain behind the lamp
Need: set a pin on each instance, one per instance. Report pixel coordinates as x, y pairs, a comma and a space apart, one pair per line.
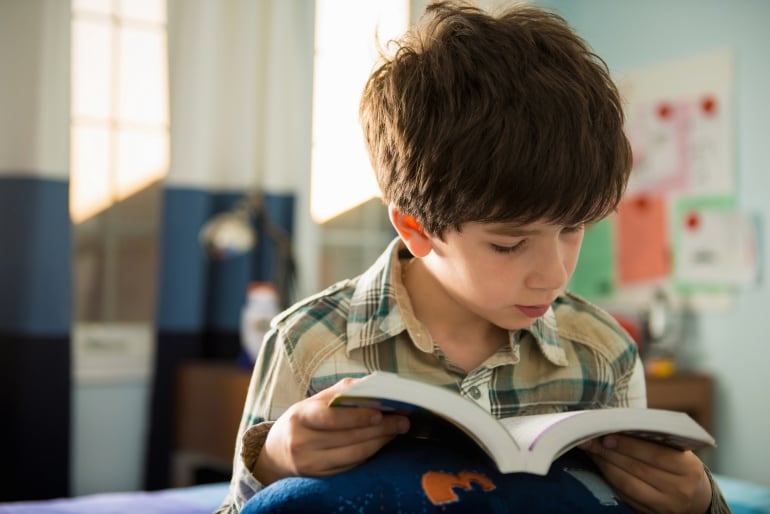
200, 301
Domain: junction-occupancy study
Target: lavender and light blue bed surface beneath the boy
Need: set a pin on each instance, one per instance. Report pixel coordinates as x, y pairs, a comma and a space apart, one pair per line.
743, 497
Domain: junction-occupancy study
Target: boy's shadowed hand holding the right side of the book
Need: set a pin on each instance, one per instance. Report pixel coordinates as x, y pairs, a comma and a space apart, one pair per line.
651, 477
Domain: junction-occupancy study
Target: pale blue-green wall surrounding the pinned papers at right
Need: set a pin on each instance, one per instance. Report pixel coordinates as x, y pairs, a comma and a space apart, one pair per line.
733, 344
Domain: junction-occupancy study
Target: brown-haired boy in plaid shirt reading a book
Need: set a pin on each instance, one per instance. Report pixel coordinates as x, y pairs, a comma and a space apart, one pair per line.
495, 141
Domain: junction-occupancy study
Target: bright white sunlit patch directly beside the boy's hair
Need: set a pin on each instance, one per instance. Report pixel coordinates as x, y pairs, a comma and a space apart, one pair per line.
341, 176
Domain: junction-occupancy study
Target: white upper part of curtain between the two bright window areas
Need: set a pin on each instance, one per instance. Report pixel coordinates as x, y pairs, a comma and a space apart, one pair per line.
240, 92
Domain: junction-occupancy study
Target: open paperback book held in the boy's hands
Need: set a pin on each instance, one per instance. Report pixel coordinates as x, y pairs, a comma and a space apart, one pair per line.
522, 443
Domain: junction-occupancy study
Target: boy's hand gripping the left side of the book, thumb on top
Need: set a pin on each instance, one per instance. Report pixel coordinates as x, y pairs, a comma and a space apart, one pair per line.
313, 439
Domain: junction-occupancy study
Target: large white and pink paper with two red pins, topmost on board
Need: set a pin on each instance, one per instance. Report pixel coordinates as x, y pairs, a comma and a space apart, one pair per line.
680, 128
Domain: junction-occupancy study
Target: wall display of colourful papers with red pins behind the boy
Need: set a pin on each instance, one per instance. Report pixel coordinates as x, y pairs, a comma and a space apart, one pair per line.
679, 226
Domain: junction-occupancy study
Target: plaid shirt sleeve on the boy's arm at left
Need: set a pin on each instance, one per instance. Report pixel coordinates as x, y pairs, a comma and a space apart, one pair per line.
273, 388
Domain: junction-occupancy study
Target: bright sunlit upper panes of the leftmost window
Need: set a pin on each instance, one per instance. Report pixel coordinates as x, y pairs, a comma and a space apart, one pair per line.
119, 133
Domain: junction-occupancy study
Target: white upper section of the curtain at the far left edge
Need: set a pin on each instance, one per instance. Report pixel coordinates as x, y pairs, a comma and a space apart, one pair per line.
34, 104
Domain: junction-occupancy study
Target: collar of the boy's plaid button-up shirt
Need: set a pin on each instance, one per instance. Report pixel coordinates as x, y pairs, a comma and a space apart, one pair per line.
380, 309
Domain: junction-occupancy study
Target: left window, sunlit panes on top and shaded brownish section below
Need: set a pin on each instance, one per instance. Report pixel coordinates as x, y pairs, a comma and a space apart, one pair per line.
119, 153
